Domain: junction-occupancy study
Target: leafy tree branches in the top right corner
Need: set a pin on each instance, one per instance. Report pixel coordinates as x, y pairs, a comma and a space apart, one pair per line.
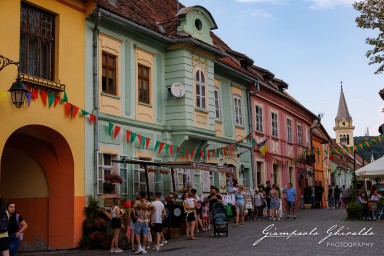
372, 17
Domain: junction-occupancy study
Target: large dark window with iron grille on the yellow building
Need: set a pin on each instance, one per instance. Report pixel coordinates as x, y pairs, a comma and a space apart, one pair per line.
37, 42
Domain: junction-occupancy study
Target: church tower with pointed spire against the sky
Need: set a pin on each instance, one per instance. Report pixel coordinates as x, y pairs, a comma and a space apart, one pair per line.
343, 123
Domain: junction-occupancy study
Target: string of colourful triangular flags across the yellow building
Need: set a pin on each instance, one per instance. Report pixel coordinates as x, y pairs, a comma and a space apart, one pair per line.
51, 99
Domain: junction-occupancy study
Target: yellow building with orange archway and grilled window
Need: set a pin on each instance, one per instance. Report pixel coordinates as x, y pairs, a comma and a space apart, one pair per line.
42, 143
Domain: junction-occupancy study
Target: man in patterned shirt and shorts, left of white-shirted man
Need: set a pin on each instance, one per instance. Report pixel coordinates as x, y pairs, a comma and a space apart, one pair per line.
143, 211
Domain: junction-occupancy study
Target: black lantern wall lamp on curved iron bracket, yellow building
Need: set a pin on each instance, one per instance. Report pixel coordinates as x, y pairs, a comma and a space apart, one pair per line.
17, 89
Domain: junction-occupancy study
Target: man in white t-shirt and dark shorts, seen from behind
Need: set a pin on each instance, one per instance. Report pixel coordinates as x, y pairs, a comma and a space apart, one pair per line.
157, 219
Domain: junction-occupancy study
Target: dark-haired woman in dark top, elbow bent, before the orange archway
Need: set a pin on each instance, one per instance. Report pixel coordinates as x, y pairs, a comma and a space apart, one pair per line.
17, 226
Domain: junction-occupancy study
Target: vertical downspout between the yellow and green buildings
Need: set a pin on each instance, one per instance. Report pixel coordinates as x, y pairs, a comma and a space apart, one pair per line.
95, 98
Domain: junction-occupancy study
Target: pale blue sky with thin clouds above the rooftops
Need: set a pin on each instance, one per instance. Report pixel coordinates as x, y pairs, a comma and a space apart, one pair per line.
312, 45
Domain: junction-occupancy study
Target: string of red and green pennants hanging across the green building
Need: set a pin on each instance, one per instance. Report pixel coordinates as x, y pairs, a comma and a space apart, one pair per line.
178, 151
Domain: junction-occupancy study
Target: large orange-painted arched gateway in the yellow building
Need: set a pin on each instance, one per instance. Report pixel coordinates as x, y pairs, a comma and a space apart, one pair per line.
37, 173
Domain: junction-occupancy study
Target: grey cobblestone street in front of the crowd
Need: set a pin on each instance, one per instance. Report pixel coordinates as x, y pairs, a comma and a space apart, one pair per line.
317, 223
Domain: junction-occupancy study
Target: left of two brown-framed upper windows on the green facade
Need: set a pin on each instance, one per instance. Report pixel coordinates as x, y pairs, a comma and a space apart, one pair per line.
108, 79
